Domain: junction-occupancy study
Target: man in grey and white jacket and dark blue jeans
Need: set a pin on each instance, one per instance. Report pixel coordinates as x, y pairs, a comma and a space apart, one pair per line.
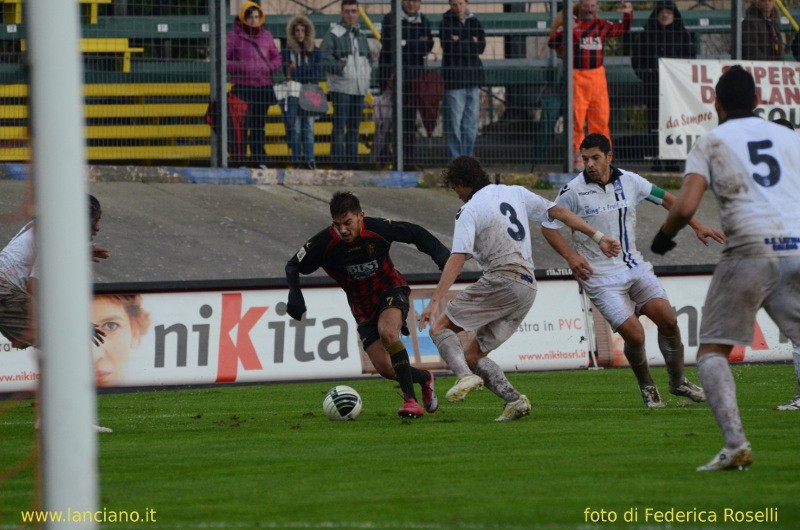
348, 64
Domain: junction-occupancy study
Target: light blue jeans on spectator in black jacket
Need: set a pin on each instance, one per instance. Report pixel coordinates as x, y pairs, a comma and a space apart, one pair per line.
462, 107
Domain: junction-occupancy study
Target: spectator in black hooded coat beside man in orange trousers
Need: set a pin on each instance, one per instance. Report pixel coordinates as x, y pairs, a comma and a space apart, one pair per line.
664, 35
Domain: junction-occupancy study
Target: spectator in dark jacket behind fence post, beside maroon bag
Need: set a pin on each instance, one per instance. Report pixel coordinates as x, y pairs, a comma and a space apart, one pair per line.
417, 42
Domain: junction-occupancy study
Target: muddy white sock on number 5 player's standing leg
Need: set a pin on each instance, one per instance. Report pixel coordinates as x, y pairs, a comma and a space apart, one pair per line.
717, 381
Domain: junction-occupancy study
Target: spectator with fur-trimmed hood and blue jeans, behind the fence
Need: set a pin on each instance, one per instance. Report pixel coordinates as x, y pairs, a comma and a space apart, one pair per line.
302, 62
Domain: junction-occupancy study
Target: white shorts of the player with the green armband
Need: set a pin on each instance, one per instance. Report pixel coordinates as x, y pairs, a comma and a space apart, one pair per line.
621, 295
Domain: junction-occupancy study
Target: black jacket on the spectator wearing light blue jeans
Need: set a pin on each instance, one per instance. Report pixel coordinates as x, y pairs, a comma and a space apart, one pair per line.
461, 62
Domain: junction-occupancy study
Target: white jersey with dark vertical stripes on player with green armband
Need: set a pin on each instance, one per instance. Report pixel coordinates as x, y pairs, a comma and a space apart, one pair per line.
610, 209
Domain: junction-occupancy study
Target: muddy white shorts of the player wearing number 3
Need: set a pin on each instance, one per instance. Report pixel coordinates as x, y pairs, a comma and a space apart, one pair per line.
493, 307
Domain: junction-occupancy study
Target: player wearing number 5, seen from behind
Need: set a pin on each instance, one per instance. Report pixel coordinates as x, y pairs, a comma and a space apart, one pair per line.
752, 167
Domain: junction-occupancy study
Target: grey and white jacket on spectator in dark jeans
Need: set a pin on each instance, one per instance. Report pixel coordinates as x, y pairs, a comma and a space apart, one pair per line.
347, 59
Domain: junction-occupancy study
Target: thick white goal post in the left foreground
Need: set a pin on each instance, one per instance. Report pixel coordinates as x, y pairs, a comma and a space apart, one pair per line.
67, 392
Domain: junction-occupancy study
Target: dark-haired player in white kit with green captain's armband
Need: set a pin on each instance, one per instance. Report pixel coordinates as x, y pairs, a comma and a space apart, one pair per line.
624, 287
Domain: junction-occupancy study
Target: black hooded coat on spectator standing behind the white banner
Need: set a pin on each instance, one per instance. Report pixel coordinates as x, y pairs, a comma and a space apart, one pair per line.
673, 41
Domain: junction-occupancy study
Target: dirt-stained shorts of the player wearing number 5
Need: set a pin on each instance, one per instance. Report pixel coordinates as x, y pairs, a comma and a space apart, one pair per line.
740, 287
